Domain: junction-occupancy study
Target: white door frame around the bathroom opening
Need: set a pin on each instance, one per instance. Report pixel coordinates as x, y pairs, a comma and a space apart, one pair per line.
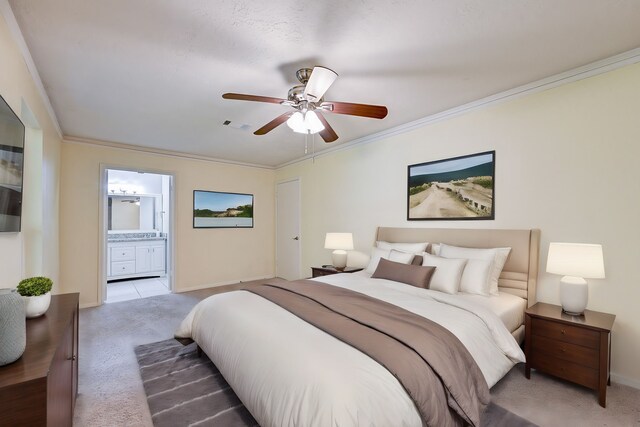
103, 222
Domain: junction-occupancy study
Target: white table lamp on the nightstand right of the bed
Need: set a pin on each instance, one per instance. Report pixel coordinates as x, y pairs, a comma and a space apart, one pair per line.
575, 261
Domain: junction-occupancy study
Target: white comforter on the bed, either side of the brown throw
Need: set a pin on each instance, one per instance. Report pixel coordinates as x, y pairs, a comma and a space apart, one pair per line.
289, 373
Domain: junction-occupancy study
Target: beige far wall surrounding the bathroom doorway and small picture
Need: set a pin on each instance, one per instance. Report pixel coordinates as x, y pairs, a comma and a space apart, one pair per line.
204, 257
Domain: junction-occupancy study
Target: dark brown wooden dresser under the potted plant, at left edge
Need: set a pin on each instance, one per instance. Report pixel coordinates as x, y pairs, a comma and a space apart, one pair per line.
40, 388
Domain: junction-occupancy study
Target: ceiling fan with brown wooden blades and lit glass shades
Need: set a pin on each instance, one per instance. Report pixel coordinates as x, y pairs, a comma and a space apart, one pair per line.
308, 105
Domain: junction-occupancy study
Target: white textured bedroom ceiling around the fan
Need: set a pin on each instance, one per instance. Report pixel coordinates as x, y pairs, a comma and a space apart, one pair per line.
152, 72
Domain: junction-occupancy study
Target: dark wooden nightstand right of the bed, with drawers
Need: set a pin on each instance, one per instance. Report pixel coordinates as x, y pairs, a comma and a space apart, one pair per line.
574, 348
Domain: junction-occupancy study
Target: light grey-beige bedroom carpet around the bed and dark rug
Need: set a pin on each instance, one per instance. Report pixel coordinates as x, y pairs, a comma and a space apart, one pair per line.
111, 391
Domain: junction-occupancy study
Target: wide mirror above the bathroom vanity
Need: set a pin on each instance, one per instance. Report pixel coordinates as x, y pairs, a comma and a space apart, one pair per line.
134, 212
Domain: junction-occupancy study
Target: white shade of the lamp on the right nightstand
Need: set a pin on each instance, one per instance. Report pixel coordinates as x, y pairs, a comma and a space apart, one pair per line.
576, 259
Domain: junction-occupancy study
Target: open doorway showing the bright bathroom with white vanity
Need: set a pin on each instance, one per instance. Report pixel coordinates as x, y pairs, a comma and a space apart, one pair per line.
138, 236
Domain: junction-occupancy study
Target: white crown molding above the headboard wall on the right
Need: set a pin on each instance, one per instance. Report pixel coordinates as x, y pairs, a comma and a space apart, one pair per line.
576, 74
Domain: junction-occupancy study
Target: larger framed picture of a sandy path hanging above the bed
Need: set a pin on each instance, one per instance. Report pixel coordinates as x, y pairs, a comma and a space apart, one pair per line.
460, 188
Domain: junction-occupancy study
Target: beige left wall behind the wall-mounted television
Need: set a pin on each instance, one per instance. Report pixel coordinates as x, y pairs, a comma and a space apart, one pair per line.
42, 176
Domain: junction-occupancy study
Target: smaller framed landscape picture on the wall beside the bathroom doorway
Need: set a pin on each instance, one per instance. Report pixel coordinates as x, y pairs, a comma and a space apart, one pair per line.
213, 209
